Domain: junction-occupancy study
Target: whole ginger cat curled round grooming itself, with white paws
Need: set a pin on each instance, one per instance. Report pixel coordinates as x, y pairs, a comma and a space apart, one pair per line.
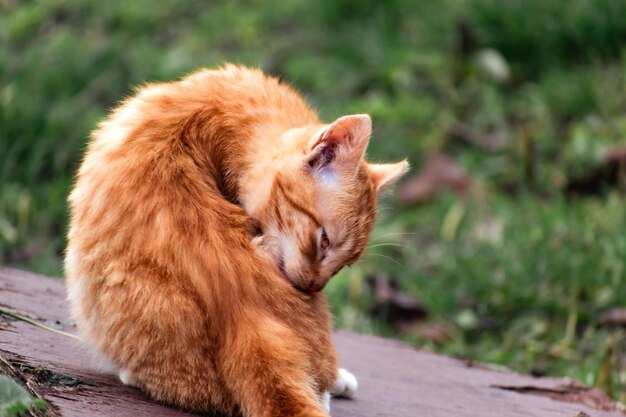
206, 217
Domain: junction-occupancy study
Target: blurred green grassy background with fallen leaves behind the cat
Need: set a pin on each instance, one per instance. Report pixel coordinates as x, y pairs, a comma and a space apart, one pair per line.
506, 243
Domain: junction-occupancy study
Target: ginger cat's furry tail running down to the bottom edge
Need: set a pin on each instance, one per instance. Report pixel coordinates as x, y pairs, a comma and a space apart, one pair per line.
264, 370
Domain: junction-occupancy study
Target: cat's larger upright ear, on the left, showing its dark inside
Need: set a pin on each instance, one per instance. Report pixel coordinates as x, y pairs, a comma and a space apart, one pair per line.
343, 143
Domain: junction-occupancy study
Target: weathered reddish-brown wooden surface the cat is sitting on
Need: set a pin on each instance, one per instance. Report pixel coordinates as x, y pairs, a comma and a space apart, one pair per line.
394, 379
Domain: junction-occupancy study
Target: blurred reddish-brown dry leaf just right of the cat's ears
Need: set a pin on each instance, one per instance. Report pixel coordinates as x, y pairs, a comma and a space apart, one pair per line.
440, 172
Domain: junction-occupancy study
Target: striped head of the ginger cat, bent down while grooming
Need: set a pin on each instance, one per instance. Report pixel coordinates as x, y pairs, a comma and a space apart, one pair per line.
322, 205
